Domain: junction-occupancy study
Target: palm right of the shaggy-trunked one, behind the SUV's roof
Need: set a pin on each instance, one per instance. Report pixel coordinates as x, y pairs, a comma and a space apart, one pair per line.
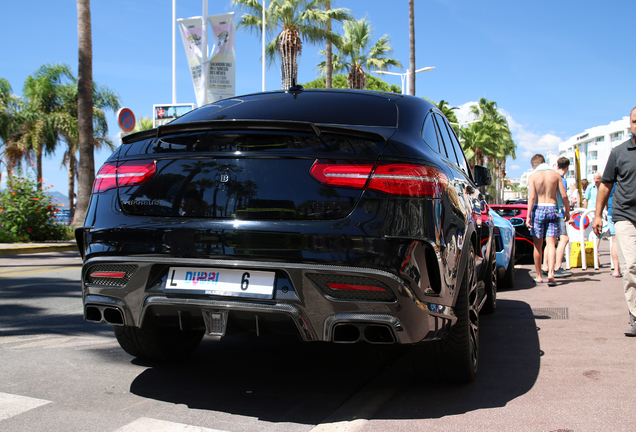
355, 53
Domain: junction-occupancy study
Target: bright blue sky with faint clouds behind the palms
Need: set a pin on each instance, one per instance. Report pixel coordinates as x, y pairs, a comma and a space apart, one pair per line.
554, 68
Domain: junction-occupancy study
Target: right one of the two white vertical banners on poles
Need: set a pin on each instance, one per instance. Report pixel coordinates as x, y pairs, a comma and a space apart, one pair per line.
221, 76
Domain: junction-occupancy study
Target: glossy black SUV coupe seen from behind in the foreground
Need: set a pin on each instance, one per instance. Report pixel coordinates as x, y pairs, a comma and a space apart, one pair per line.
336, 215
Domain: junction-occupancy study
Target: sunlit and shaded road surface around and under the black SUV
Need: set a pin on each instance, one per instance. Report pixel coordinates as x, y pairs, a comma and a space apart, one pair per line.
552, 359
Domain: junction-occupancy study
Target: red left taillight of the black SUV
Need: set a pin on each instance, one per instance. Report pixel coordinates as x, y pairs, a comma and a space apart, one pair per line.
130, 173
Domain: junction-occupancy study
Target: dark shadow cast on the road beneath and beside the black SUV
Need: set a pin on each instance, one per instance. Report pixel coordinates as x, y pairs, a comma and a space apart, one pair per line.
280, 380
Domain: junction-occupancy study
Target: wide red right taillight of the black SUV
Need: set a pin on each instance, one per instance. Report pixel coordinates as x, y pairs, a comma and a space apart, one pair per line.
401, 179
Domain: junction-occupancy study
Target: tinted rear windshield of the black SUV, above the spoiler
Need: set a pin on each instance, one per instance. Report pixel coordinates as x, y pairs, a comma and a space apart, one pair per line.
329, 107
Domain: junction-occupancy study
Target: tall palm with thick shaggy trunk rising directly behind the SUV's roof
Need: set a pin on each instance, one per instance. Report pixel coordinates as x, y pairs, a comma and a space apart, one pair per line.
300, 20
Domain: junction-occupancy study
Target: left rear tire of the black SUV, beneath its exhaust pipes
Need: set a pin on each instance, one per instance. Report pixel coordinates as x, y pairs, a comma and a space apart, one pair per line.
158, 343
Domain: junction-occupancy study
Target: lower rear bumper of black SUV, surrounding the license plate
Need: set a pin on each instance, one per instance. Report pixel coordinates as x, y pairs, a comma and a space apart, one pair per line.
297, 302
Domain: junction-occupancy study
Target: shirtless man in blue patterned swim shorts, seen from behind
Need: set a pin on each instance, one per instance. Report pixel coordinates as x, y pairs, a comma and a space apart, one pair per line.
543, 216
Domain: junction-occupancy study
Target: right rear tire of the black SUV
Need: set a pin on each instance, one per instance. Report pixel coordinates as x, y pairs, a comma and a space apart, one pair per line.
455, 358
